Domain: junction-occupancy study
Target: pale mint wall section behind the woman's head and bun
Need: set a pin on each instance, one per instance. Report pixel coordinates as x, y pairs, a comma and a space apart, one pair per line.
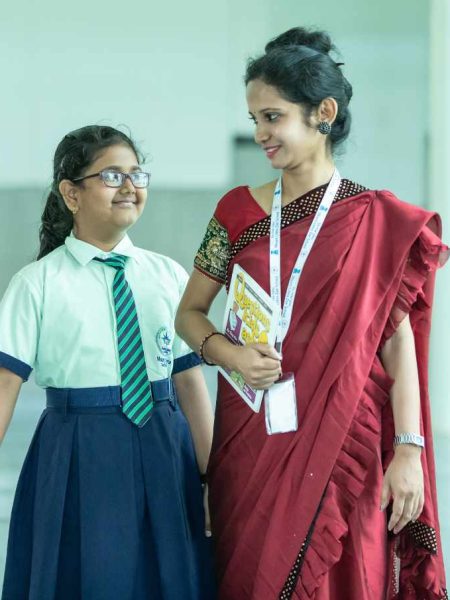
385, 49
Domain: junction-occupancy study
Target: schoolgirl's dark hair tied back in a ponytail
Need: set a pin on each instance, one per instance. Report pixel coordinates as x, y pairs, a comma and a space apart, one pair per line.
74, 154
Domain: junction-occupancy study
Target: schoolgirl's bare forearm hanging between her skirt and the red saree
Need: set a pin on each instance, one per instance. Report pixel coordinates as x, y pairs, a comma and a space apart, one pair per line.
194, 401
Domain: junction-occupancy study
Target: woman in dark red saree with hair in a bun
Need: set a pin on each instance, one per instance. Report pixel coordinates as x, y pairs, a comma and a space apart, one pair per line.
301, 514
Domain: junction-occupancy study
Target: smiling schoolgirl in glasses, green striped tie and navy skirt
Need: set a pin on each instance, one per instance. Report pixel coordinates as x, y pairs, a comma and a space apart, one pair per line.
109, 501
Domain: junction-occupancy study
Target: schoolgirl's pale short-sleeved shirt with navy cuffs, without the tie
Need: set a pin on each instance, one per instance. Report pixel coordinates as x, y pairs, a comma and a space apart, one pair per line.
57, 316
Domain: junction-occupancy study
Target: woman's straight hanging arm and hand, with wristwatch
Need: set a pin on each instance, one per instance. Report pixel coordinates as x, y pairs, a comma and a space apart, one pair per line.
403, 479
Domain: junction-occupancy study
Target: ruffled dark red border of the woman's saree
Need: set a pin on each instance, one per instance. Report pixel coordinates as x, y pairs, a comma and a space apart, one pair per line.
417, 545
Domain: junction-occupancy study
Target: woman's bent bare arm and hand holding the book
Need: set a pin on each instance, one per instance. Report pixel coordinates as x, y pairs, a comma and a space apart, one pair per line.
258, 363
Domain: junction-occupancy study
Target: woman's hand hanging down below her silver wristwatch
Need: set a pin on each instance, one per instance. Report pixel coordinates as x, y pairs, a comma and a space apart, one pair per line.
403, 481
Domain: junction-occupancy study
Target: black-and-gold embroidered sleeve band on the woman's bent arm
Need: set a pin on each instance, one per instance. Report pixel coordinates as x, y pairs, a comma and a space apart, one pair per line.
214, 253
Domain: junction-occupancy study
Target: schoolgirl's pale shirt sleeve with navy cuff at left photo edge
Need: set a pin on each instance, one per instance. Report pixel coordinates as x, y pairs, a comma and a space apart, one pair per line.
20, 322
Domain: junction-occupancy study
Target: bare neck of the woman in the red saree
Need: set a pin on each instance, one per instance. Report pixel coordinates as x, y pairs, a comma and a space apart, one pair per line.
306, 177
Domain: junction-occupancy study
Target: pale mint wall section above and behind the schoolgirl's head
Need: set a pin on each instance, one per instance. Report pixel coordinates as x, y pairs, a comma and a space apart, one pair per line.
158, 67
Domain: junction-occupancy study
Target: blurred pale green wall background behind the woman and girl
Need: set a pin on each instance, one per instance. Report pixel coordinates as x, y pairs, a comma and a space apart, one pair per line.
173, 74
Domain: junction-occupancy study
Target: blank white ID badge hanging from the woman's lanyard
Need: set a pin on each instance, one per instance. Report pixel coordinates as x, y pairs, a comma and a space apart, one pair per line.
281, 406
